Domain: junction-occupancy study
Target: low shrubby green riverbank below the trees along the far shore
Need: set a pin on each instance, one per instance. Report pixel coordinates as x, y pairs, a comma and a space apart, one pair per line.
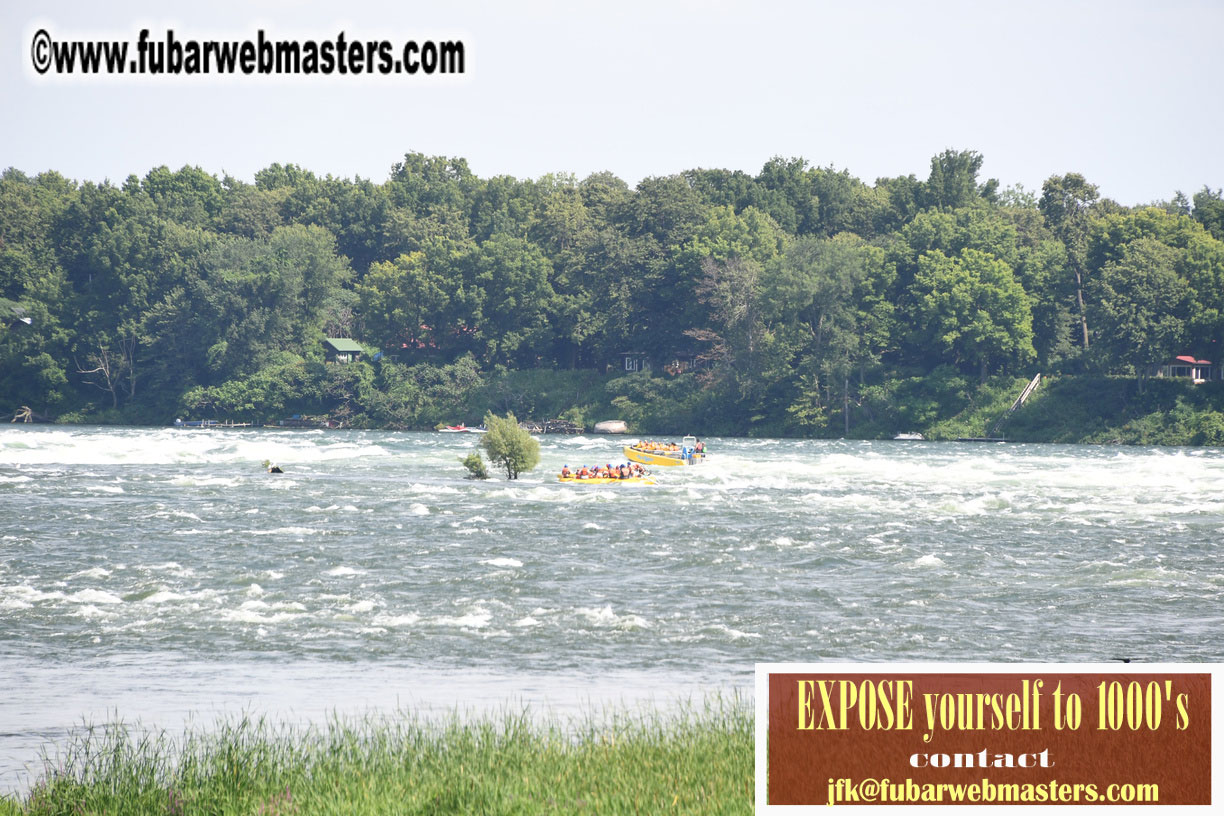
942, 404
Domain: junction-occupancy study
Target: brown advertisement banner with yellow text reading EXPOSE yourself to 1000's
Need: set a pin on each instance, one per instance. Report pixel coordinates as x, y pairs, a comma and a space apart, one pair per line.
972, 738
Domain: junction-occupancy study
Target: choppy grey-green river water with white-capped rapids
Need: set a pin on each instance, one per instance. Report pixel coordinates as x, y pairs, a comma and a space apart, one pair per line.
161, 571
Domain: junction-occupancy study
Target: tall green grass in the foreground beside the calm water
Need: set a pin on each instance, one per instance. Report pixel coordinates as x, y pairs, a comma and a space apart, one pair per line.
692, 762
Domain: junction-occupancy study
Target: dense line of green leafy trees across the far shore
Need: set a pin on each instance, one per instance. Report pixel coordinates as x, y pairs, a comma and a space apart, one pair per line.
807, 298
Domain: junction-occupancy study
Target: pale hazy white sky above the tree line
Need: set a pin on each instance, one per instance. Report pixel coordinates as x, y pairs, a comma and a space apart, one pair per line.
1127, 94
